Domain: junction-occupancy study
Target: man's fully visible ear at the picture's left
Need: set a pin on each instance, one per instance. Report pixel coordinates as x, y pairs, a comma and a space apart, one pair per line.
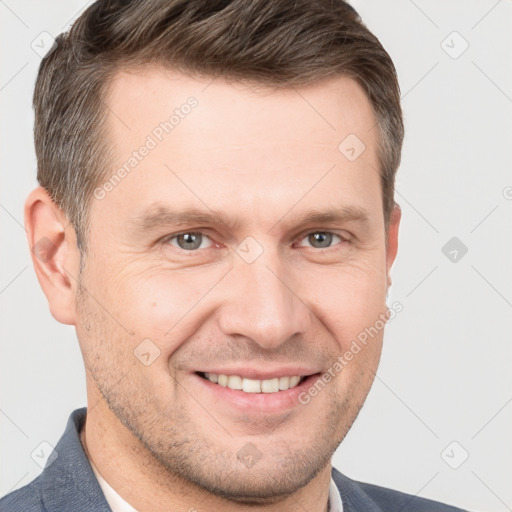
55, 256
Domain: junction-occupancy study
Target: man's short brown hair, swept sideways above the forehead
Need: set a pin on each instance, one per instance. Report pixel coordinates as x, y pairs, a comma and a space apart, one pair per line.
275, 43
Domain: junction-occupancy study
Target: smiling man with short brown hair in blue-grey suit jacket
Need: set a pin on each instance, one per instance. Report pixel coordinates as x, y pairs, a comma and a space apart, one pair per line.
216, 217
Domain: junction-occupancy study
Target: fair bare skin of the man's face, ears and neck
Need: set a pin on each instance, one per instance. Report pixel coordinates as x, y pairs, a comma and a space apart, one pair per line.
262, 160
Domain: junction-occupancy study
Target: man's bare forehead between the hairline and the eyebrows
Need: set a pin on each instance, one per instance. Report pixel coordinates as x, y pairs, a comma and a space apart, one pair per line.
211, 141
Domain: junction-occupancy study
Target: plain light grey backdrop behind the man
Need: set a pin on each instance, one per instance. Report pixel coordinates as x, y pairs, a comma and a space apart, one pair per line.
445, 373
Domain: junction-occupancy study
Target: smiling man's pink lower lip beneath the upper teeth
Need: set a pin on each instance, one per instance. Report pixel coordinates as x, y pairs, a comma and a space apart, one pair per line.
258, 402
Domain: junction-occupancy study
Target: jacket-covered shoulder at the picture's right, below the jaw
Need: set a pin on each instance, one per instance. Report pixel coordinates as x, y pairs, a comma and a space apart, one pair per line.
363, 496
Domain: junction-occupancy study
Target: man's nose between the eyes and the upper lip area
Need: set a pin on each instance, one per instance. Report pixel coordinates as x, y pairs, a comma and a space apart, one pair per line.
261, 303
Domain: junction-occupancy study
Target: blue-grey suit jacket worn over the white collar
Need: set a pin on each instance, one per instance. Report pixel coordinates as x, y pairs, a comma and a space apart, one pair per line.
68, 484
